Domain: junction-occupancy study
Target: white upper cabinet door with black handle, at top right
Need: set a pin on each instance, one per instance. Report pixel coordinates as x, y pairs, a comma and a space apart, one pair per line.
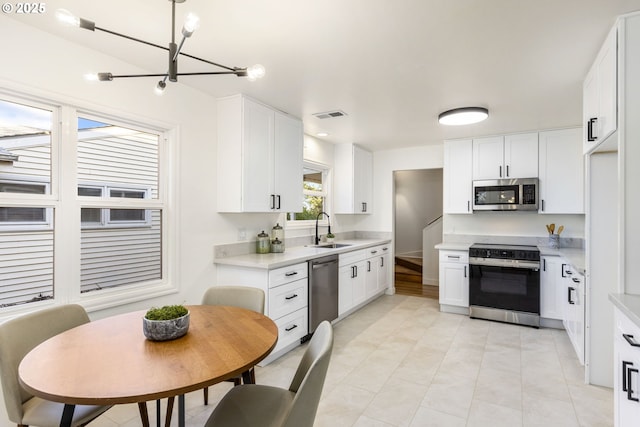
600, 100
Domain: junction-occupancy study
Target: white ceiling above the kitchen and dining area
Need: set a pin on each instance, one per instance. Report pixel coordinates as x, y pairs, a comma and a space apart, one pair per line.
391, 65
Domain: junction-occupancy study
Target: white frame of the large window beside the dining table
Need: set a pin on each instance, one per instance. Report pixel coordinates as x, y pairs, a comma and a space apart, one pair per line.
64, 205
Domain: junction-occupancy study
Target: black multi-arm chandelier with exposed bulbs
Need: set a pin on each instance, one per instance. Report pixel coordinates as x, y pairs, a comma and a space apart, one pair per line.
190, 25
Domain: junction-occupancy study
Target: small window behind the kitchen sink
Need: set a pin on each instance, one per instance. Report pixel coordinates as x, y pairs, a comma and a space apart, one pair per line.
315, 190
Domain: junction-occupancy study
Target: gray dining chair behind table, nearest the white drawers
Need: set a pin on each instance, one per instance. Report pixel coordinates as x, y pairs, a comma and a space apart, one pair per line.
236, 296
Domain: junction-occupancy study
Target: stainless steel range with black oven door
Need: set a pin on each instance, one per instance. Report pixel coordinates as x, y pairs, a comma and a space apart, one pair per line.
504, 283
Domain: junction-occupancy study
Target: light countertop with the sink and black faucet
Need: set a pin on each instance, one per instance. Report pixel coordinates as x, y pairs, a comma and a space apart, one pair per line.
296, 254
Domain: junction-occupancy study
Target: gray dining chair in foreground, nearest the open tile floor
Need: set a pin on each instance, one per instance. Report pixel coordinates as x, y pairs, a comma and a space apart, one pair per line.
254, 405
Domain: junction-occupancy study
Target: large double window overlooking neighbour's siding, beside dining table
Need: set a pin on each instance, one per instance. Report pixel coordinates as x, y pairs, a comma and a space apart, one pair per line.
114, 249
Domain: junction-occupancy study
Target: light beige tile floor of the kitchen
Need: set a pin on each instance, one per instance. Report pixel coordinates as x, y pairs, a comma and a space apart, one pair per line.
400, 362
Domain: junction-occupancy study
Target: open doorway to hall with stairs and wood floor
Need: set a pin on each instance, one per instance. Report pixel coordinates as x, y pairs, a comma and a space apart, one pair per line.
417, 228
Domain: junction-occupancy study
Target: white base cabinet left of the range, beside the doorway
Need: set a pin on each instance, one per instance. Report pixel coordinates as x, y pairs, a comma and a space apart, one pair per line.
454, 281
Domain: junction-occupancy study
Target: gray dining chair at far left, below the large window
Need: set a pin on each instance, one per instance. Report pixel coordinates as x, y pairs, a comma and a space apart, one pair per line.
20, 335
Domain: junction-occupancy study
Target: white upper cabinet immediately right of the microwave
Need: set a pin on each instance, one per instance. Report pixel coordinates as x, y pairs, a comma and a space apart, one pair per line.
561, 172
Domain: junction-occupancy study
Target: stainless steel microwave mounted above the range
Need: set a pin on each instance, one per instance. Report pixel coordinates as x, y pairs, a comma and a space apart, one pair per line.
519, 194
